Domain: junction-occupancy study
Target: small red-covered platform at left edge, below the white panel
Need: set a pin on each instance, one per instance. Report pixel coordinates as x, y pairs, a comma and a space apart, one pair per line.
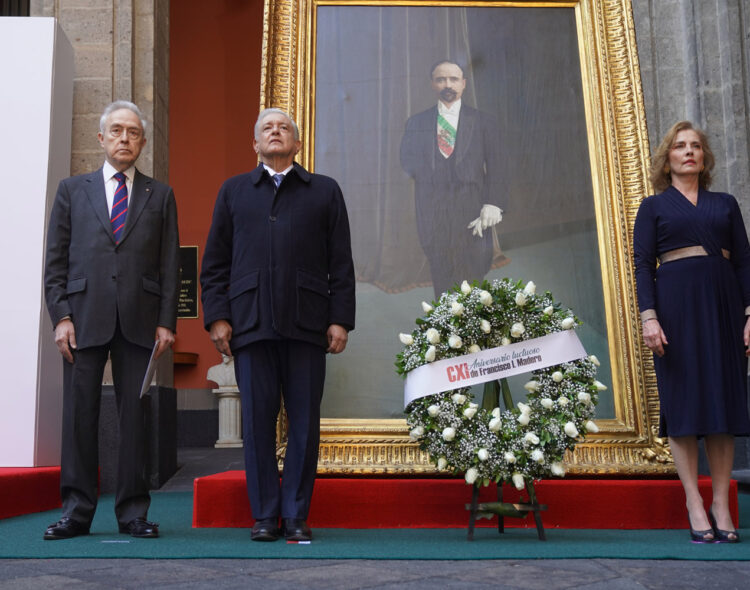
28, 489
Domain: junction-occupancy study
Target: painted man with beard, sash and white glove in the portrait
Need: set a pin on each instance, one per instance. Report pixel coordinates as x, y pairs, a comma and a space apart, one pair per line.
451, 150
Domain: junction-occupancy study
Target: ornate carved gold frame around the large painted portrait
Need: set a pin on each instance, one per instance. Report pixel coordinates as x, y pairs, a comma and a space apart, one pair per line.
617, 148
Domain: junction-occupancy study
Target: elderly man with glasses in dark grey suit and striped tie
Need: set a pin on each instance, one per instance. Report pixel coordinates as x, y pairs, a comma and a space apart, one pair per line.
111, 285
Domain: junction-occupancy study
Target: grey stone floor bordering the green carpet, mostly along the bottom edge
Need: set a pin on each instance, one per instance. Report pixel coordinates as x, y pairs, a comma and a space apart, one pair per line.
214, 574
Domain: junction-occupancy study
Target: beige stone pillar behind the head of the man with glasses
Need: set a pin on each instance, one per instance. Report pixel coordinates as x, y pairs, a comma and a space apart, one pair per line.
121, 51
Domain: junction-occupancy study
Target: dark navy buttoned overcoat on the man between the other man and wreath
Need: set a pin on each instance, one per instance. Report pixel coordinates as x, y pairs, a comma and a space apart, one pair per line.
279, 266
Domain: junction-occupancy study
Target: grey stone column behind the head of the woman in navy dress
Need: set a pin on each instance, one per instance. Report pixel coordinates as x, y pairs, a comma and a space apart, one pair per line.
695, 64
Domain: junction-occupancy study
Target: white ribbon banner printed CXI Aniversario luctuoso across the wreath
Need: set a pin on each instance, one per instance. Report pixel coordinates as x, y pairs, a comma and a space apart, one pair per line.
492, 364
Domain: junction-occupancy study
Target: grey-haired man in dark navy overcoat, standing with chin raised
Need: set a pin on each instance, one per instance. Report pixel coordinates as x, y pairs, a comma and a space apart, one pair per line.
278, 293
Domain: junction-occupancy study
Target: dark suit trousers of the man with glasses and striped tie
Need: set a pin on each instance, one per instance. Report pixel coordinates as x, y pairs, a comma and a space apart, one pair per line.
82, 389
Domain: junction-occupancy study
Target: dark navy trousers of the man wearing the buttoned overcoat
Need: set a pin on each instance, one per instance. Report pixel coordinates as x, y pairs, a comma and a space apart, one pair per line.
264, 369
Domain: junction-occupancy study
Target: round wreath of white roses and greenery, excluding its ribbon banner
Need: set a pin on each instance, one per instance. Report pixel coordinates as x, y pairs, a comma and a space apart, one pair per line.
518, 444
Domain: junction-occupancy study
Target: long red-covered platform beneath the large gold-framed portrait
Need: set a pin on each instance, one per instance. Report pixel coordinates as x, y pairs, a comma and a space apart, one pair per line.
220, 501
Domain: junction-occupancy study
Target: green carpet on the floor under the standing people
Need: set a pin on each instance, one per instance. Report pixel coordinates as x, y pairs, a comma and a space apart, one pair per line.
21, 537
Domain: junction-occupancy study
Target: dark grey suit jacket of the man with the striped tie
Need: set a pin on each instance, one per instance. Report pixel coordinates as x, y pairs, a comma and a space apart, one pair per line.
92, 279
